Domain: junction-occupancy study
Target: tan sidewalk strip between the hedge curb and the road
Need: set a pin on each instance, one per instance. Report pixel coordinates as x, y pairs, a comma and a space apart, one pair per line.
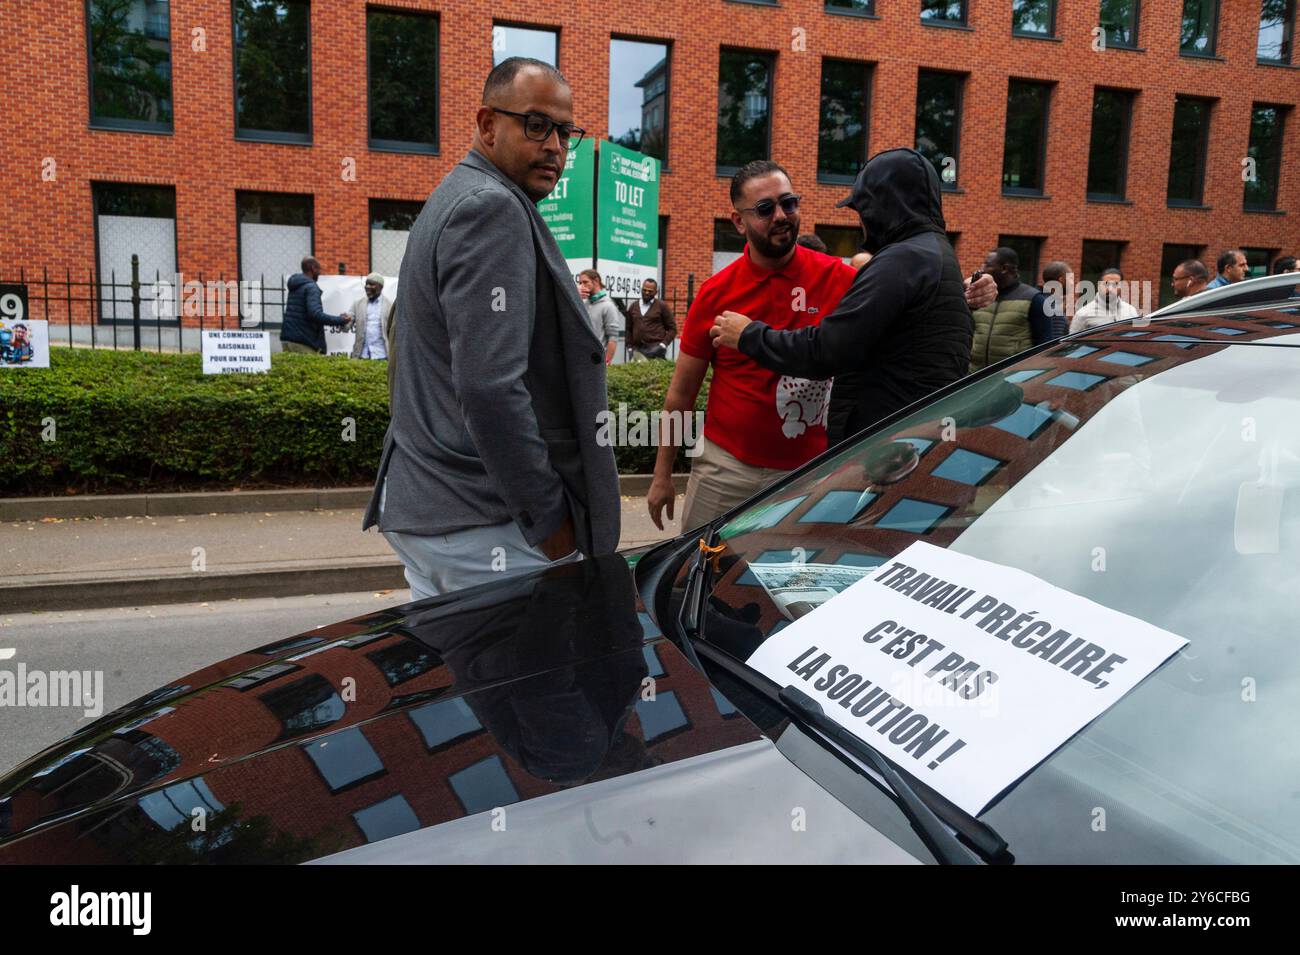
115, 562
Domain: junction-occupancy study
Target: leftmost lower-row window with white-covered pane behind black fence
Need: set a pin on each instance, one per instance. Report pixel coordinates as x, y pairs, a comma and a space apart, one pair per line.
133, 220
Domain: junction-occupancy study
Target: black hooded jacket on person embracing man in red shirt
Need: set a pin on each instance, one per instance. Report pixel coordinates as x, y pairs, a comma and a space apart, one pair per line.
903, 329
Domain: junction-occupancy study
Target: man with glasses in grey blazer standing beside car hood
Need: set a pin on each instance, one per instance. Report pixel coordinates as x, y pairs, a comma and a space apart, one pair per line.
492, 466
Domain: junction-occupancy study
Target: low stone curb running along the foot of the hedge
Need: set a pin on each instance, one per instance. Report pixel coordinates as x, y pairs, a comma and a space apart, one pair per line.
228, 502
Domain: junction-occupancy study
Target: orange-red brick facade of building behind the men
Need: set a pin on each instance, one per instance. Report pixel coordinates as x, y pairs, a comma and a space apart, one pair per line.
45, 92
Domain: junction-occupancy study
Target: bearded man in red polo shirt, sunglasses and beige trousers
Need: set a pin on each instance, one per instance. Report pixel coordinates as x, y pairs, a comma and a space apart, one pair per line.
760, 424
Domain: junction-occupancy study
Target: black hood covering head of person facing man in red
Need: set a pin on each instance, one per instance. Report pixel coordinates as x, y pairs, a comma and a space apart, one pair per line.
898, 196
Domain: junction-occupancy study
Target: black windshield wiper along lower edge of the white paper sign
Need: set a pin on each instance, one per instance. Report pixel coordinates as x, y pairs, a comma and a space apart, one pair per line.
934, 821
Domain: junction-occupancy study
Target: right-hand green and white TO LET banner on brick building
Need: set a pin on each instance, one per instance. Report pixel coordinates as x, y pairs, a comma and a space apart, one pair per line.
627, 220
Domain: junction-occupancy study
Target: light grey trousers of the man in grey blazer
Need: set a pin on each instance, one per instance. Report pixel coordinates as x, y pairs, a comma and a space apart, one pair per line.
443, 563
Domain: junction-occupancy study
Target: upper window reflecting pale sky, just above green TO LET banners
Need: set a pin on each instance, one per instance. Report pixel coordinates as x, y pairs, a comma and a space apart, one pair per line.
639, 97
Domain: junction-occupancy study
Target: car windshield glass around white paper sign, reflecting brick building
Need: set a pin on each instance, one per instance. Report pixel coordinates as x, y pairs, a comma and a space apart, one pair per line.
1151, 475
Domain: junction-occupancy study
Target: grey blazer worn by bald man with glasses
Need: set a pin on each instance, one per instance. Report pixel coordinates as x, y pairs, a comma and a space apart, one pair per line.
501, 381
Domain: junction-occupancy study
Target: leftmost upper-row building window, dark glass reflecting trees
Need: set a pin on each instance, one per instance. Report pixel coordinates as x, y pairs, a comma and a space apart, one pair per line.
131, 64
